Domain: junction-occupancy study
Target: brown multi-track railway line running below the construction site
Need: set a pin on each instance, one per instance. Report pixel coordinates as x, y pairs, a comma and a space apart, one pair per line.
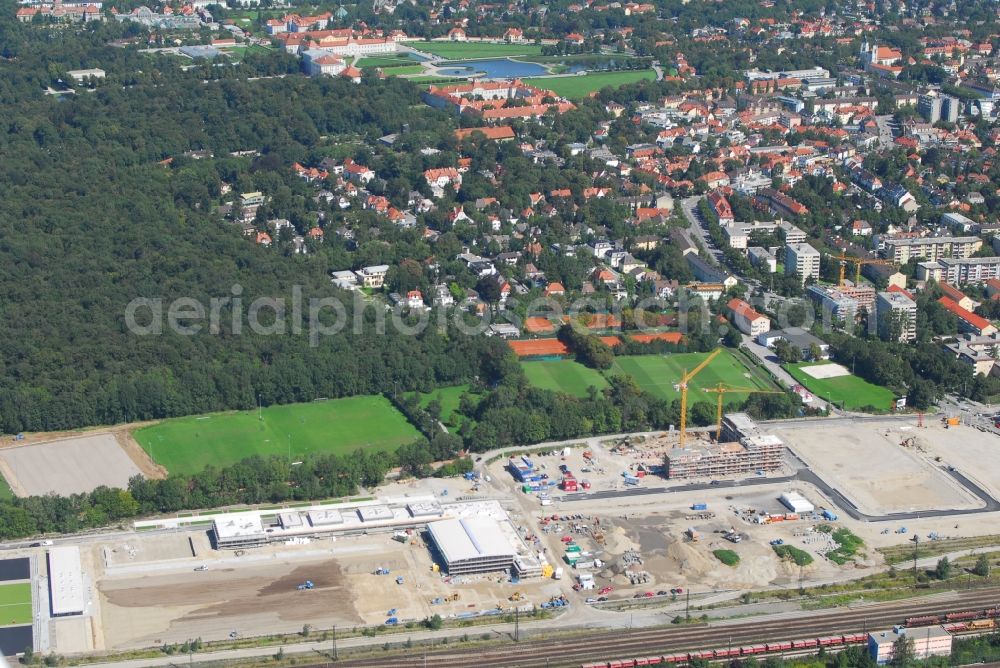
553, 652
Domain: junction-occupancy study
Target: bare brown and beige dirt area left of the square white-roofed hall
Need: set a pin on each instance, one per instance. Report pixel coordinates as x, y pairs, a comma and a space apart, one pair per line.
146, 600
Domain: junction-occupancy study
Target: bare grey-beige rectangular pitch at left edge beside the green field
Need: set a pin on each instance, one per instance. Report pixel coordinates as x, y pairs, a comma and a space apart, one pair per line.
68, 466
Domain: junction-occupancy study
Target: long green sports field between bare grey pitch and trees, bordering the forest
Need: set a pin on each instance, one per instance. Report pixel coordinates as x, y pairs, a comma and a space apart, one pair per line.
187, 445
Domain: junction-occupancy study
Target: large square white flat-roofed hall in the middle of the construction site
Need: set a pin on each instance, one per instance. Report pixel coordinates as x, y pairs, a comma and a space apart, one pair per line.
472, 545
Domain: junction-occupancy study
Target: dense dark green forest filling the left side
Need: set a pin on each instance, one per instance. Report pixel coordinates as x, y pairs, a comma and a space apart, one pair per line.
90, 221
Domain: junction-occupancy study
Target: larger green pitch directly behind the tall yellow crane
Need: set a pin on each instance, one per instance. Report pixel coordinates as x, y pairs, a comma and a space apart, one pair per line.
659, 374
